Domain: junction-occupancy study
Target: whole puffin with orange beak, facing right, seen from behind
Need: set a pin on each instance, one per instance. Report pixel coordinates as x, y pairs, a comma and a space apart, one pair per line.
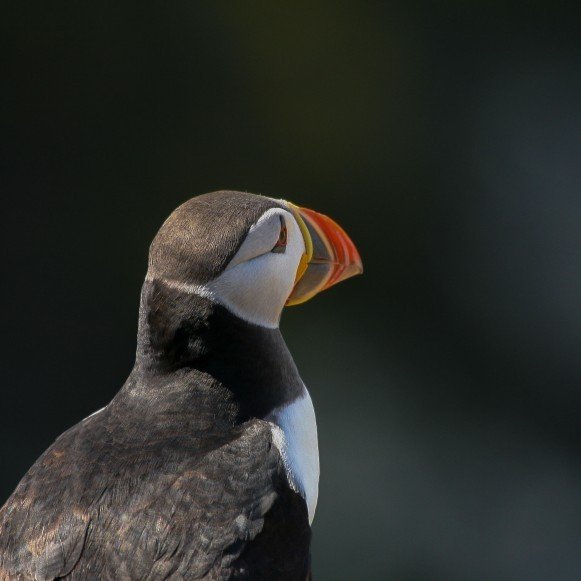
205, 465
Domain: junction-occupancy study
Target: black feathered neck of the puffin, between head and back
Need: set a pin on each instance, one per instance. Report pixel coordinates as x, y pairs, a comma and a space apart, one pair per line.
193, 351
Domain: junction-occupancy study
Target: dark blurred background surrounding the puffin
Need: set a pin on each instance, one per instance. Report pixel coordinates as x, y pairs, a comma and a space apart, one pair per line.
445, 137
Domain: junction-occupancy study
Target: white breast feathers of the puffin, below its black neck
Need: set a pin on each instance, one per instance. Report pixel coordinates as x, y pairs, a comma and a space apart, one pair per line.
294, 432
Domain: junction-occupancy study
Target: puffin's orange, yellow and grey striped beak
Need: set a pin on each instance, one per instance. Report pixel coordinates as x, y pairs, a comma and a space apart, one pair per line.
330, 255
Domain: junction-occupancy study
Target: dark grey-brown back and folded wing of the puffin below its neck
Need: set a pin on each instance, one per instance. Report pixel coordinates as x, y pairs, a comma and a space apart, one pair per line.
101, 504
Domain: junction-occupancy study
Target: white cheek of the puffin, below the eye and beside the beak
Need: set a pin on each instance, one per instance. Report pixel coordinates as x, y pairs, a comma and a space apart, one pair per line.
256, 290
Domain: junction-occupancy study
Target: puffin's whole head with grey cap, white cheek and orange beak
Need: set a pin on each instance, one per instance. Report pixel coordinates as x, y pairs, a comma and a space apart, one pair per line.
251, 254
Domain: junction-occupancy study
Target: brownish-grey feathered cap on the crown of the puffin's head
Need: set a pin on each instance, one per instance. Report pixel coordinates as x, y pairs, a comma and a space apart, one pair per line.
199, 238
